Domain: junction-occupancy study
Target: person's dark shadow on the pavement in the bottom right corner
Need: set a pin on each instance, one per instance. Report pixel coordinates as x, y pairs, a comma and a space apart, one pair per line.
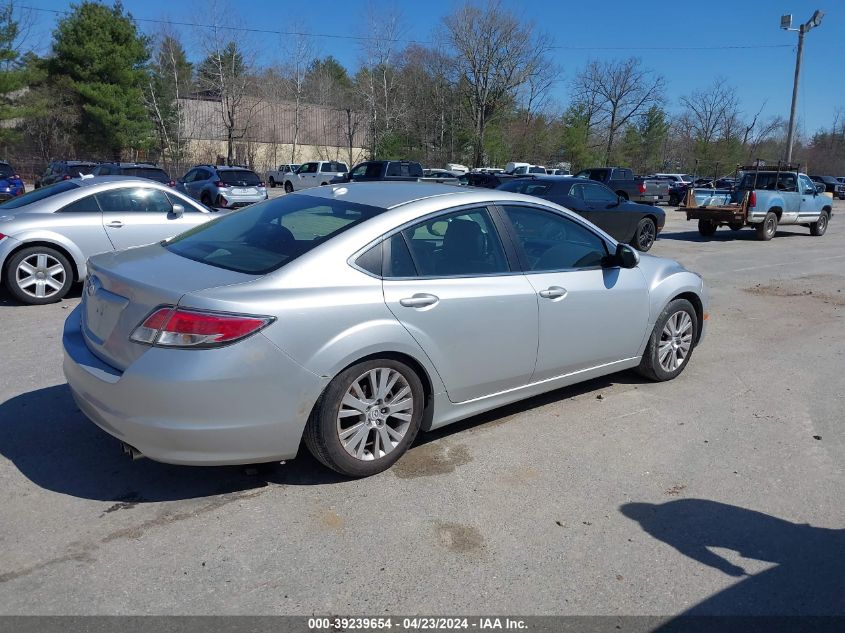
808, 578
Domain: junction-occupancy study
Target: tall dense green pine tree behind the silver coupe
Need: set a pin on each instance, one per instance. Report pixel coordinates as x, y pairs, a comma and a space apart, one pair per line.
101, 55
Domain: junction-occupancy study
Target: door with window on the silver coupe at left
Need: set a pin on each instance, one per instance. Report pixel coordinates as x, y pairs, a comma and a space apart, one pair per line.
133, 216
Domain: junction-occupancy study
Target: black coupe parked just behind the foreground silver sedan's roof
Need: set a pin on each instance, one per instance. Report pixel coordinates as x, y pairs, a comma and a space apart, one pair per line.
631, 222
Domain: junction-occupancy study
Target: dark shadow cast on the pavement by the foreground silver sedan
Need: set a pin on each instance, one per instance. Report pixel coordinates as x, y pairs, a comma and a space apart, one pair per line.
55, 446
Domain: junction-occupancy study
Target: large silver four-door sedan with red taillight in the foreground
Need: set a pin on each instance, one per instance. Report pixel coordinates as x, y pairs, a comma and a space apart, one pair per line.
357, 315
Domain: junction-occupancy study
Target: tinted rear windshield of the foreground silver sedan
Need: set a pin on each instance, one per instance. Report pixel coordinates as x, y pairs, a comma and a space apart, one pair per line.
266, 236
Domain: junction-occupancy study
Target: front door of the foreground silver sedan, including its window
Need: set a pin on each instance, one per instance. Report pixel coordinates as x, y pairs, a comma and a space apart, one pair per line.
588, 315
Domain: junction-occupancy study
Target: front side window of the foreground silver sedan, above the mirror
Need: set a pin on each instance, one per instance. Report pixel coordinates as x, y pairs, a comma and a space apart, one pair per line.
554, 242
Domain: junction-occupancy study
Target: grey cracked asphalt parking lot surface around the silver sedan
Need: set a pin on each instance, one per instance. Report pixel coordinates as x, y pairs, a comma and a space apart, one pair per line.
719, 492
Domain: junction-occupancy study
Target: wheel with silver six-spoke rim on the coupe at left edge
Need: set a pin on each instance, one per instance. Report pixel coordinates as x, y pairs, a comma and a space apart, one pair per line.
38, 275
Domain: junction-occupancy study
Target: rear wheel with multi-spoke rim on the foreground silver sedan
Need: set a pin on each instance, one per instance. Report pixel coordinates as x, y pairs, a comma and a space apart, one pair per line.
366, 418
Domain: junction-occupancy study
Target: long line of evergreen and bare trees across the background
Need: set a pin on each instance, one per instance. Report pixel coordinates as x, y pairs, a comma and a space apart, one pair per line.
481, 94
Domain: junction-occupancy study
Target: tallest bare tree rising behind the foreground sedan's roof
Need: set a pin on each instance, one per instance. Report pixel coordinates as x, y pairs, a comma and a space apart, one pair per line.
496, 54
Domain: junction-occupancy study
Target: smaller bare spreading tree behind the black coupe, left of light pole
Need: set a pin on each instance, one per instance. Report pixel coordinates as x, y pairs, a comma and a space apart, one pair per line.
619, 90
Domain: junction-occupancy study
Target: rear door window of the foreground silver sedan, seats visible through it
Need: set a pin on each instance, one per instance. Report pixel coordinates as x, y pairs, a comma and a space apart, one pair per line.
461, 243
